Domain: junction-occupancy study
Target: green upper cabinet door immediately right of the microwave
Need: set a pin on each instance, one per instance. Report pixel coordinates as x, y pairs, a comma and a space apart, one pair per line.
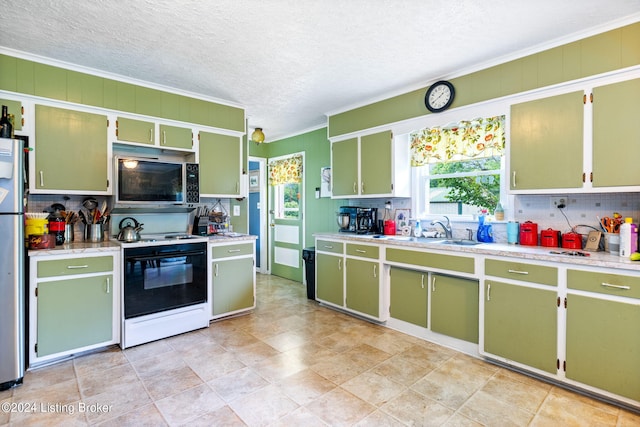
220, 158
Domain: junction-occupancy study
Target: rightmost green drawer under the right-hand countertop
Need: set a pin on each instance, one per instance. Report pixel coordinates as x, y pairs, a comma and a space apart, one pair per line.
604, 283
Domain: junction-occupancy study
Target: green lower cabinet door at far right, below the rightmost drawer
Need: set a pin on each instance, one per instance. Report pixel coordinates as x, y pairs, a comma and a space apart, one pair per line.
603, 345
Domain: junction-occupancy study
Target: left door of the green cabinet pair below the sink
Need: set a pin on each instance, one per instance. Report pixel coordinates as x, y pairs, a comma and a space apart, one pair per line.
409, 295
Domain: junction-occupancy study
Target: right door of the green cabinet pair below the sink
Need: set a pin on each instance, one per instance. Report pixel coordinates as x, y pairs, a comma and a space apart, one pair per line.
454, 307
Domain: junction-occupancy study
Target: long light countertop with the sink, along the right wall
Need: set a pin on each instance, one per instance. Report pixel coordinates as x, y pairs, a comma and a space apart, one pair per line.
594, 259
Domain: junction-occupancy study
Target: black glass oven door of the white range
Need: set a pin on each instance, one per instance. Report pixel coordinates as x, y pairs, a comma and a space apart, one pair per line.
160, 278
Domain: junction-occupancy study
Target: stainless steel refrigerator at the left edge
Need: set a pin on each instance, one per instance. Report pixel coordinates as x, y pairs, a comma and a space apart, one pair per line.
12, 263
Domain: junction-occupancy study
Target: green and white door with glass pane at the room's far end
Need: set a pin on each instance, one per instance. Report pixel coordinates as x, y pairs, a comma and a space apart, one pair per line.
286, 207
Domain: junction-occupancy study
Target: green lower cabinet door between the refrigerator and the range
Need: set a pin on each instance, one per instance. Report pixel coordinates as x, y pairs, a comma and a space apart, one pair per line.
74, 313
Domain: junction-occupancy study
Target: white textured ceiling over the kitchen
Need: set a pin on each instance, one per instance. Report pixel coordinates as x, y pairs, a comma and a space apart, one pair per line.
289, 62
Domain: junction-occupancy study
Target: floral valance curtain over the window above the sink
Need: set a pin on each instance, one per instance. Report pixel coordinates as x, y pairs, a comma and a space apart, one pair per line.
478, 138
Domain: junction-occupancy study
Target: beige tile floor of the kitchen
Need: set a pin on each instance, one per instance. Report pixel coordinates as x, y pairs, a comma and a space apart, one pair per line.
293, 363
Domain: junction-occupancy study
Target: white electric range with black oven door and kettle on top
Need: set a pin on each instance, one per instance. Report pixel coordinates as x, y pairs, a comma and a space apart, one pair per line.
165, 287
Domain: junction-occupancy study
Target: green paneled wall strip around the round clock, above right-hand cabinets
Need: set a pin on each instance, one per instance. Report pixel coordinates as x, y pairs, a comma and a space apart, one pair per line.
609, 51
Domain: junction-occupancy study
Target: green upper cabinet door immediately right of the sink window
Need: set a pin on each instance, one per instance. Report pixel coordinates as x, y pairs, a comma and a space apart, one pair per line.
546, 143
